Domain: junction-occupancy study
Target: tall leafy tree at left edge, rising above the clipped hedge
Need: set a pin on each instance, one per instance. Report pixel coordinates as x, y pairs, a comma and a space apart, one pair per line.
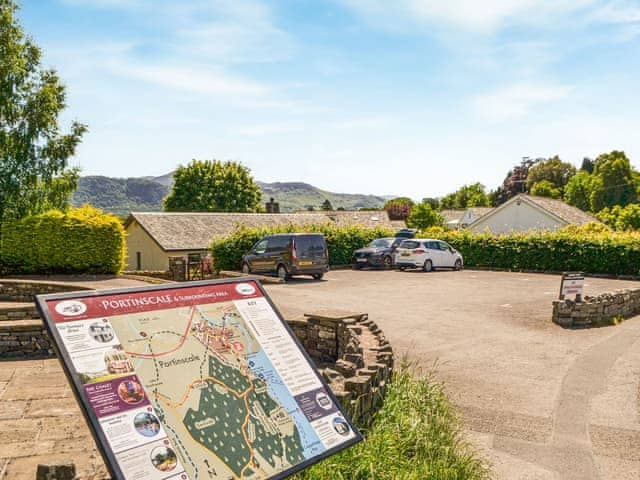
33, 152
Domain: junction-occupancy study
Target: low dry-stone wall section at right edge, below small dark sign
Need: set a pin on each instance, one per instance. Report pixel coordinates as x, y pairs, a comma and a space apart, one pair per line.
593, 311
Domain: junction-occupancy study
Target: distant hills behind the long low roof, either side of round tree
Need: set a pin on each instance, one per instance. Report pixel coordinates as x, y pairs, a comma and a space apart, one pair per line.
123, 195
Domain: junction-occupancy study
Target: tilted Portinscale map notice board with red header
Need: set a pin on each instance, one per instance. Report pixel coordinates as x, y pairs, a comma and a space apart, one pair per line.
194, 381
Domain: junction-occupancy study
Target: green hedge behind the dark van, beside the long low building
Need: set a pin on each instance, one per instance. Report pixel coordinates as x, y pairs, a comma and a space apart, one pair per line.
227, 252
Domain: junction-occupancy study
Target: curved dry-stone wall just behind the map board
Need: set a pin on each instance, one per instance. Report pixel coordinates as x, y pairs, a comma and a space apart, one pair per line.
352, 354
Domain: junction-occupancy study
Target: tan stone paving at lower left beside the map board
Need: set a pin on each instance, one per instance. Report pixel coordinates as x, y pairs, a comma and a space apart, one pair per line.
40, 422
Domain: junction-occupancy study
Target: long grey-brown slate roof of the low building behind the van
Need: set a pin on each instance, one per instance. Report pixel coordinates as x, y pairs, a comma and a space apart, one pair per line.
194, 231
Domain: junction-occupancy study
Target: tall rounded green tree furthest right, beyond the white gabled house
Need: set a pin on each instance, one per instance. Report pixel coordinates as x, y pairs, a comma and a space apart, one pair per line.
618, 186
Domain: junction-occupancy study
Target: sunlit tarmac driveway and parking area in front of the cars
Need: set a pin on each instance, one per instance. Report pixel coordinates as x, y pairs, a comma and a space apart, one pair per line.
541, 401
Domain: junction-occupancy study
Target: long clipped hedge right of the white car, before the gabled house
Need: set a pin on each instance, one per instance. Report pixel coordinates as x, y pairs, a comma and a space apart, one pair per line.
592, 249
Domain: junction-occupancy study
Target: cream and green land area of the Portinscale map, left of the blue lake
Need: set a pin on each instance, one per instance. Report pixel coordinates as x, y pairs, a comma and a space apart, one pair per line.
220, 417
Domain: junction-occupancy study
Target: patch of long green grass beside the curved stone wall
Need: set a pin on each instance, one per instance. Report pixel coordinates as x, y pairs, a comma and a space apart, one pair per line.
415, 436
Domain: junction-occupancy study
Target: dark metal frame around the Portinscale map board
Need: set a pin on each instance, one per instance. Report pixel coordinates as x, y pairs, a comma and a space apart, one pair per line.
90, 416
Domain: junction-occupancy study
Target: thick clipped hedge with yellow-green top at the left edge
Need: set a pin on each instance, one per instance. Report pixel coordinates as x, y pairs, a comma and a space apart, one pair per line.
83, 240
